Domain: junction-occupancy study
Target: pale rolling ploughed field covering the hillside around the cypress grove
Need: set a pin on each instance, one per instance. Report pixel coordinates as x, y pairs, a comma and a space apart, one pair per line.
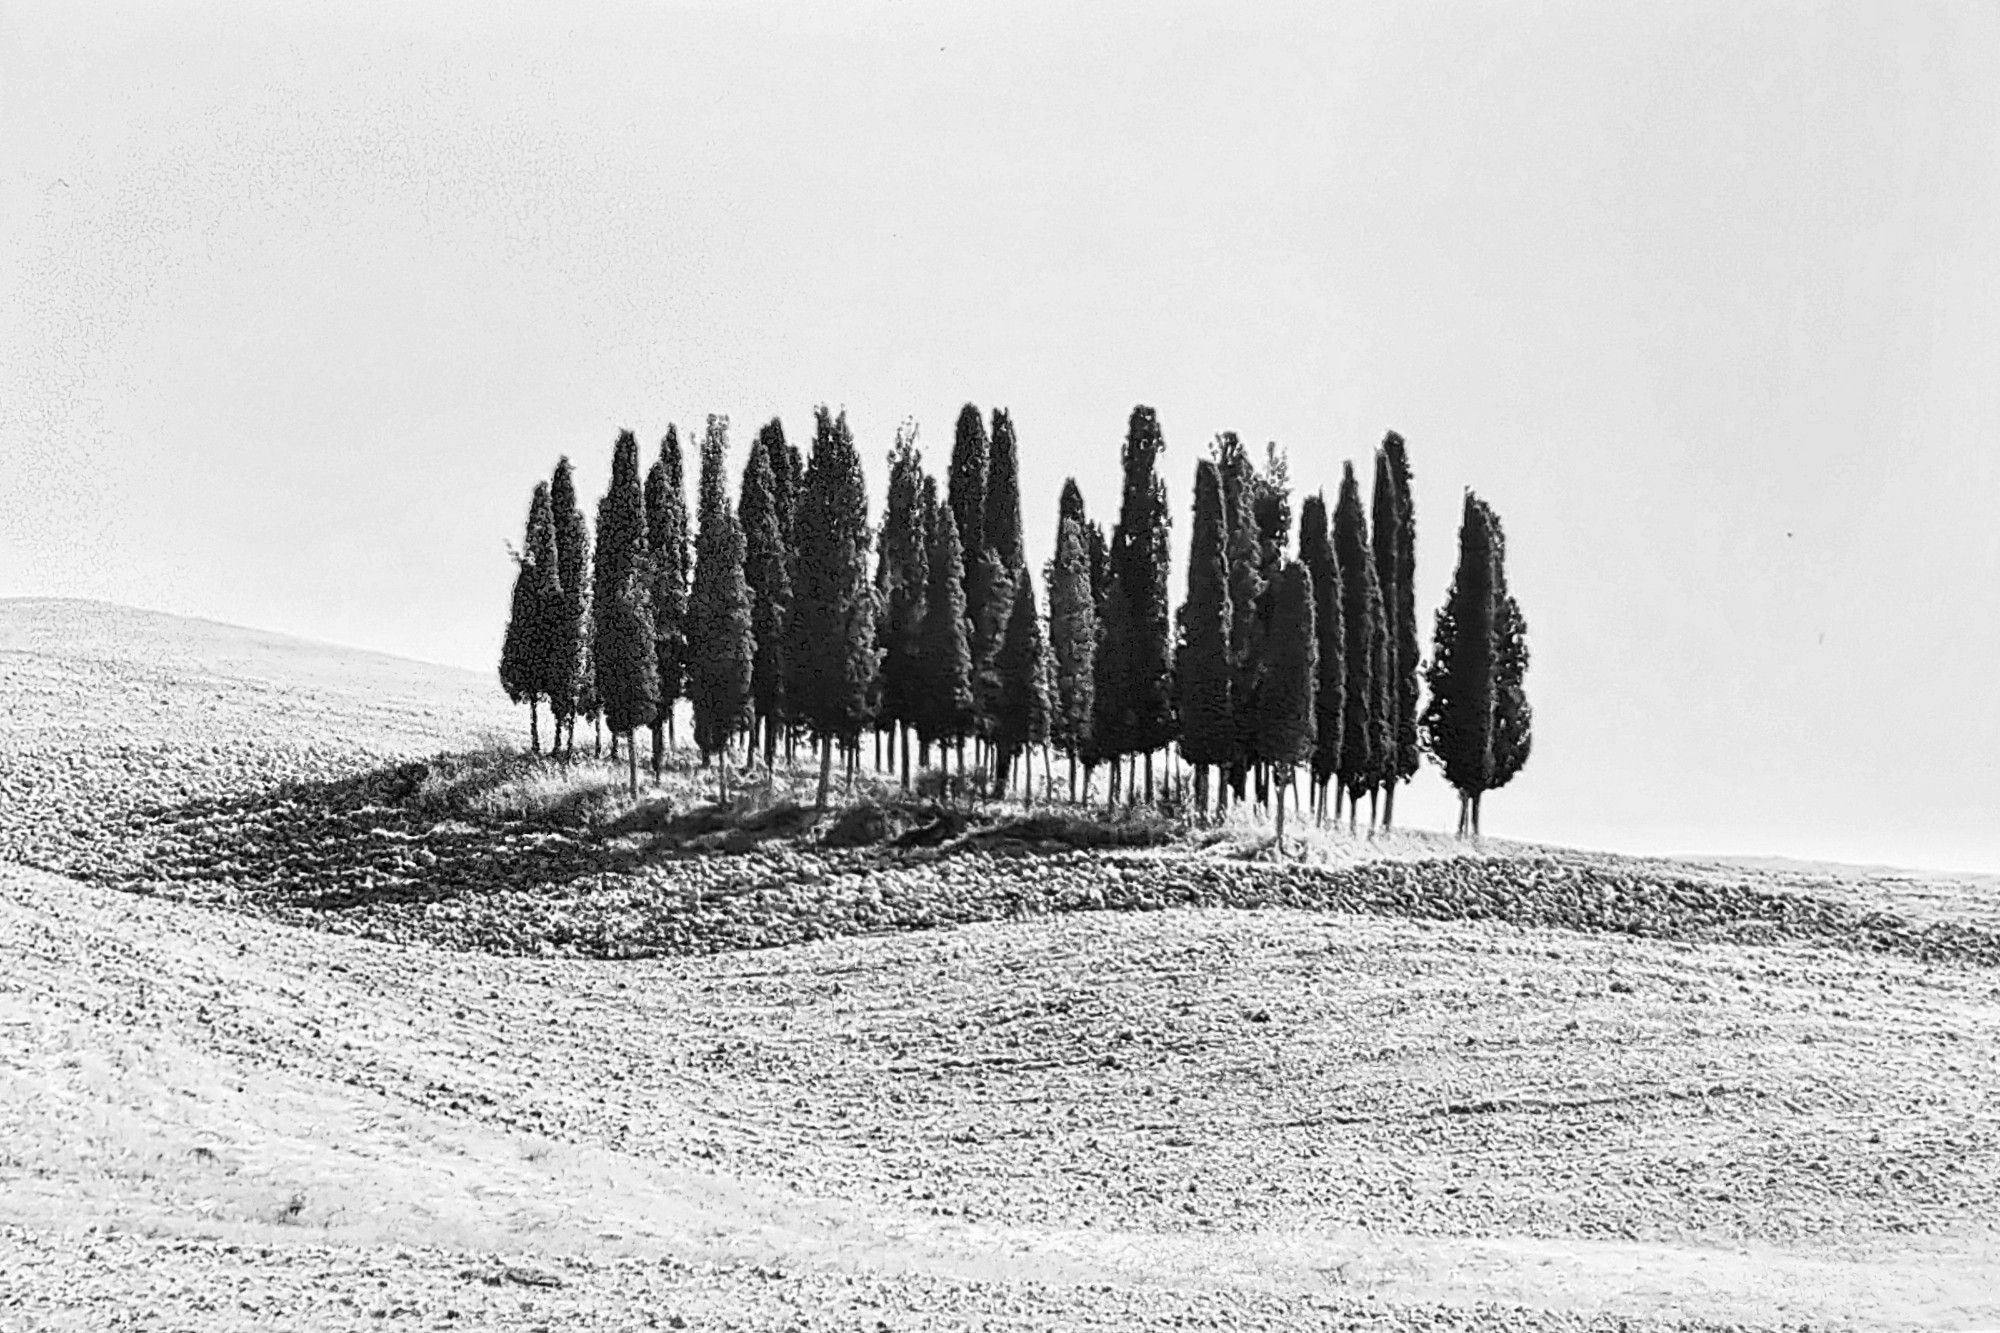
1755, 1096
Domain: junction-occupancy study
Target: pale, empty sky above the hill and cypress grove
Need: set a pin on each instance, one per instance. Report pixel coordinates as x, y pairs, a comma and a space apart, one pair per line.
297, 305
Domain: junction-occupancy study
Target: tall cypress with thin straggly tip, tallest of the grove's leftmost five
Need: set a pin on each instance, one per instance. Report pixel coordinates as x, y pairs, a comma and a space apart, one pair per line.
719, 613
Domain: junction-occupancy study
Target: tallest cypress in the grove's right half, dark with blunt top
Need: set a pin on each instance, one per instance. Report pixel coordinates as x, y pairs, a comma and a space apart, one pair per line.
1139, 561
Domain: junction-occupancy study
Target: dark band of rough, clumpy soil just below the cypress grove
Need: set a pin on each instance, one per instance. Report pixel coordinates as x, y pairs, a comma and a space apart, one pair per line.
513, 856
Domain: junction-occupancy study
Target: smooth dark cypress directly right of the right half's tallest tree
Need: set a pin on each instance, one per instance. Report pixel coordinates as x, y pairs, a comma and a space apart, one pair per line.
1207, 674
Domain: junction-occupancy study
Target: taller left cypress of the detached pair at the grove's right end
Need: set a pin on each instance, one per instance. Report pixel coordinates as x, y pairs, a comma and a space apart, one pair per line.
1459, 720
